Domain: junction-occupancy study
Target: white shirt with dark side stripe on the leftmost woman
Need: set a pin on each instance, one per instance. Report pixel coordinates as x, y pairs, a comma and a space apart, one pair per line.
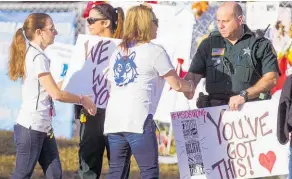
35, 108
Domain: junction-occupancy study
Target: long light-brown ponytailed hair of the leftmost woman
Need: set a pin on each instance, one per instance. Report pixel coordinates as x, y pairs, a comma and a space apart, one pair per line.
16, 68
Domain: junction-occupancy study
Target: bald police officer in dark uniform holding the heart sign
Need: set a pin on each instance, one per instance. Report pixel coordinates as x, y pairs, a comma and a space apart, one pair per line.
237, 65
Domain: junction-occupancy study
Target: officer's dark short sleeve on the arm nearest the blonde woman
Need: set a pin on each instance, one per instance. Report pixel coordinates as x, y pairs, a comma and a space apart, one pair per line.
198, 64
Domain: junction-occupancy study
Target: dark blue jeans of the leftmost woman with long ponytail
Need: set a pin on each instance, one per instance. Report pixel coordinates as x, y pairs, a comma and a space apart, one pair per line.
32, 147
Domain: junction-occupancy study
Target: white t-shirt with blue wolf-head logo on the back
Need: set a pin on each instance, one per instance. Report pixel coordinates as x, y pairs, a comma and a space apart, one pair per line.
136, 86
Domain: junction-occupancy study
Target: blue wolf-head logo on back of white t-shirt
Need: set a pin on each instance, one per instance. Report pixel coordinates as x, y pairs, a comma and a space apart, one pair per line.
125, 69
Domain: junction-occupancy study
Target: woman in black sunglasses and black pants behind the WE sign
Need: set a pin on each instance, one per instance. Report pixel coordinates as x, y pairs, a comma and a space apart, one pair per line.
105, 21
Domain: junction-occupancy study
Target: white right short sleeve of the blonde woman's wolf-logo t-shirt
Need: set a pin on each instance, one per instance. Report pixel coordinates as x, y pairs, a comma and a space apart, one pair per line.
162, 63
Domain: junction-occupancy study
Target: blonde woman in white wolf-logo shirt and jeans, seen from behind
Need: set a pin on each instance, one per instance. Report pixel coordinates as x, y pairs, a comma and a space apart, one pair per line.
137, 71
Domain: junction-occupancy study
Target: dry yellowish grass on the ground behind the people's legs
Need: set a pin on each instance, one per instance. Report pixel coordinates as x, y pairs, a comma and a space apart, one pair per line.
68, 150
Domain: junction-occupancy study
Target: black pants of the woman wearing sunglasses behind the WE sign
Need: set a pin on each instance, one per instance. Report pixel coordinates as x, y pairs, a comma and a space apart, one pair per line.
92, 145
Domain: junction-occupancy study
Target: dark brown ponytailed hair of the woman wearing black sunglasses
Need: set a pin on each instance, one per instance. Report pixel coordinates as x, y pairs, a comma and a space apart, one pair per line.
115, 15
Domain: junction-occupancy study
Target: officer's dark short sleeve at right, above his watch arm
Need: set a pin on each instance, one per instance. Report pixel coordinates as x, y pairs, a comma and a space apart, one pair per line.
267, 54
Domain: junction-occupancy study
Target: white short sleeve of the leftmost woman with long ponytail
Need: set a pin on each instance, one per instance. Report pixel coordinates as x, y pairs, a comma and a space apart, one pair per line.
41, 64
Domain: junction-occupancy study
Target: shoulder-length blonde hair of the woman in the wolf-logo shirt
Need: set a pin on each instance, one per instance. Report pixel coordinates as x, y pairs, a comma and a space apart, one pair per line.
139, 23
